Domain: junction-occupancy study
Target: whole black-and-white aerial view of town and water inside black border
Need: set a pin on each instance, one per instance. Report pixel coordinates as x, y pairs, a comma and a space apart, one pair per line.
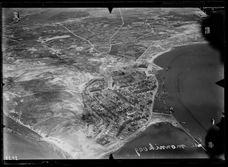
84, 83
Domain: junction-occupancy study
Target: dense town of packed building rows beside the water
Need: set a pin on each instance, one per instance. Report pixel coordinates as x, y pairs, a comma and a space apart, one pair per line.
123, 109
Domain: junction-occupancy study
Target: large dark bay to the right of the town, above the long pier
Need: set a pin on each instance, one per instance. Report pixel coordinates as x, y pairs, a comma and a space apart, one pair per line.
201, 65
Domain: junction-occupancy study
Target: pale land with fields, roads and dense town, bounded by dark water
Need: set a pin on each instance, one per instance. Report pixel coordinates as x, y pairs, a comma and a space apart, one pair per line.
85, 80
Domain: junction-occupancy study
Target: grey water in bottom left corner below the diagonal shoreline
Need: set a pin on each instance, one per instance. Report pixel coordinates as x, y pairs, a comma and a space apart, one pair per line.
23, 143
